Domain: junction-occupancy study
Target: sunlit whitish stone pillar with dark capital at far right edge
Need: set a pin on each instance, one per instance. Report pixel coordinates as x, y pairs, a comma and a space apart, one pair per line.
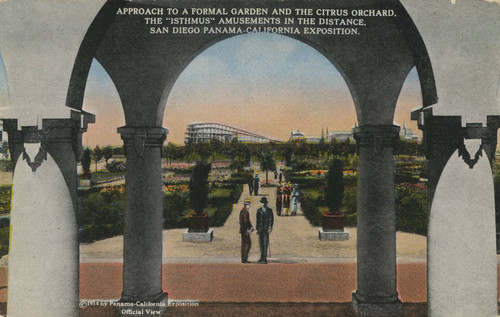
461, 257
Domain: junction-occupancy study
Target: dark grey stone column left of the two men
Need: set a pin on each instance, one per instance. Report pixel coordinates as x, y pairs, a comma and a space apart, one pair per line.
142, 245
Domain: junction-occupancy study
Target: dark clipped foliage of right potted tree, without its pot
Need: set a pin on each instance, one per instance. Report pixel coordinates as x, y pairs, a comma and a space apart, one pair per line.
334, 189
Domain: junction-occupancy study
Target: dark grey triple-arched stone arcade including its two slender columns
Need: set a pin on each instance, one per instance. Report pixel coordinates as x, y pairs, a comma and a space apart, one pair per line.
144, 67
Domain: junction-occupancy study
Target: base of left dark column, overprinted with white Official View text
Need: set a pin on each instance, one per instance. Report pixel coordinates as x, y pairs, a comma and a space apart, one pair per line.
144, 308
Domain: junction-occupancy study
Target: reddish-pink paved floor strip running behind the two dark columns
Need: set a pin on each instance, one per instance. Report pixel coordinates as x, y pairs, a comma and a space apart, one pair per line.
304, 282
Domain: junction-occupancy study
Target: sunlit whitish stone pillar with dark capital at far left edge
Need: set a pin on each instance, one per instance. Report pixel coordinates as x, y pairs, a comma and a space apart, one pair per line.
44, 246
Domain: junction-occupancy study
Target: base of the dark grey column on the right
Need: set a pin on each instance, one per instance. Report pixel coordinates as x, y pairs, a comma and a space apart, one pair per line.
377, 307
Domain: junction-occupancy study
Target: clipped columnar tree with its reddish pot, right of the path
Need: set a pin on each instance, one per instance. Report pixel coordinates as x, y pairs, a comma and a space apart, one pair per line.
333, 218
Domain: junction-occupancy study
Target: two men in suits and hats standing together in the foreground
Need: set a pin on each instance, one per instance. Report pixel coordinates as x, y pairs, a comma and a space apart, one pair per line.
265, 221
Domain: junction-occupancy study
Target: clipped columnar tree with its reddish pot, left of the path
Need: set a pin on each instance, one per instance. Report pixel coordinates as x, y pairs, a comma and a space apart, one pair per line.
198, 196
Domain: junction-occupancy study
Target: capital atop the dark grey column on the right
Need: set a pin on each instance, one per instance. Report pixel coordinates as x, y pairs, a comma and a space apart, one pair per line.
376, 136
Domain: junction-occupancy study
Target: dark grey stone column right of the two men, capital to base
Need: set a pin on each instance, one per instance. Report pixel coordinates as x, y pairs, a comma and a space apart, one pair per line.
376, 294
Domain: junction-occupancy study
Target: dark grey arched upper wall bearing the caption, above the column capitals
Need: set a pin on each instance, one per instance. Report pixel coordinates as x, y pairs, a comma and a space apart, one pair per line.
144, 67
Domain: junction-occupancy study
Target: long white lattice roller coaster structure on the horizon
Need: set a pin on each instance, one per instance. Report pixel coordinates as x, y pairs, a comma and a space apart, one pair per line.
205, 131
